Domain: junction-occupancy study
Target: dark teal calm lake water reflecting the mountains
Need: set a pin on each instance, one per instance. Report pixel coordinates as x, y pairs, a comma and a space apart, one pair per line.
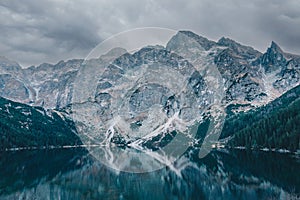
74, 174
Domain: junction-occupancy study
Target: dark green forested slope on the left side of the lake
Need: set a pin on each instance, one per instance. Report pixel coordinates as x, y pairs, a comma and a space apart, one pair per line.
25, 126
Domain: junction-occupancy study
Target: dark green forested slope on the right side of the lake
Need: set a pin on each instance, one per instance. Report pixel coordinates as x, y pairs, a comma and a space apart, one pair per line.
276, 125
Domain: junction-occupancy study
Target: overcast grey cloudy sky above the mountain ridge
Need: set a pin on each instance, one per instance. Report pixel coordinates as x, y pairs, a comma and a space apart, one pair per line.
37, 31
